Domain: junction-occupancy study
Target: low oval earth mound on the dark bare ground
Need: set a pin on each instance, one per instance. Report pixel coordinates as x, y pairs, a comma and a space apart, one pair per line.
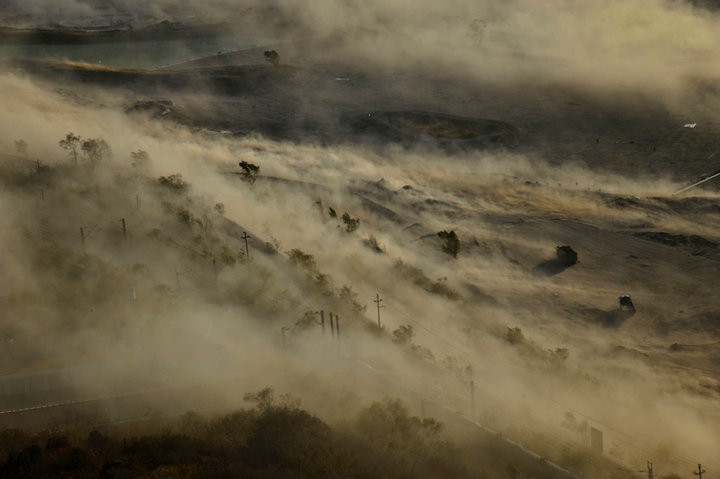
446, 130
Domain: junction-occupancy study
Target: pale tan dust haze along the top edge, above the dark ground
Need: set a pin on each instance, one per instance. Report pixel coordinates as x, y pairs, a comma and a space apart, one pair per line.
657, 47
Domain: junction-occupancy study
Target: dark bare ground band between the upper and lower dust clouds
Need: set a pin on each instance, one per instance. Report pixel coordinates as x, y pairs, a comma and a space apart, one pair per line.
311, 100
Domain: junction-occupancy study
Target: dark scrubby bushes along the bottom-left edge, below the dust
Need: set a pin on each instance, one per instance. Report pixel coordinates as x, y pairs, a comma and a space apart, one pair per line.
275, 438
